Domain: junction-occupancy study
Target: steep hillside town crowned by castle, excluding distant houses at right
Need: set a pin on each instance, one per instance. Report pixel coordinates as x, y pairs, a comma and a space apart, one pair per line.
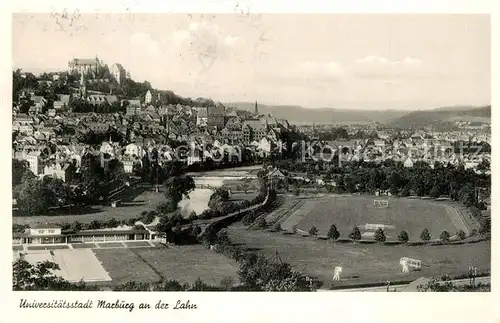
65, 115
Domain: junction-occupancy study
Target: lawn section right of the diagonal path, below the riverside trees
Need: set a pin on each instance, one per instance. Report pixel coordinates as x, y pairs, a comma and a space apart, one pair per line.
187, 263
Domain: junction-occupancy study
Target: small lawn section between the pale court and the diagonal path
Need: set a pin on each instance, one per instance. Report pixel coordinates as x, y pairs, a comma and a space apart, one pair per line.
123, 266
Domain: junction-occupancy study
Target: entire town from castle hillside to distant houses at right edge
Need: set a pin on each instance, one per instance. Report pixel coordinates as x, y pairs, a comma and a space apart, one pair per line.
57, 118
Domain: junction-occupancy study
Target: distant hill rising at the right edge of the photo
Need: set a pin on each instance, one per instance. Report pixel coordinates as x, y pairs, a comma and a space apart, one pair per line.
419, 119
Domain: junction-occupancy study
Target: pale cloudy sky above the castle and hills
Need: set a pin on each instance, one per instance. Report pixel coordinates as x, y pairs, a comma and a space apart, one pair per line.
356, 61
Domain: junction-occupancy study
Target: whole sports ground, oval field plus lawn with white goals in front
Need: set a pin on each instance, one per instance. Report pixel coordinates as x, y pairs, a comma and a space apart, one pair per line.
365, 263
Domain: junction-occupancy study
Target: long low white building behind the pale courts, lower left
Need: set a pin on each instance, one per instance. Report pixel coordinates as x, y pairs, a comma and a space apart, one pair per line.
49, 234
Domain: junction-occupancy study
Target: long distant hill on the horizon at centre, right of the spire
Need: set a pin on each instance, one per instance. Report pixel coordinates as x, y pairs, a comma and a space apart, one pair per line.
300, 115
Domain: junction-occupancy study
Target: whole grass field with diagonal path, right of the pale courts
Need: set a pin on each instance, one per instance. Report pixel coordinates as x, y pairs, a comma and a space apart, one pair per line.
183, 263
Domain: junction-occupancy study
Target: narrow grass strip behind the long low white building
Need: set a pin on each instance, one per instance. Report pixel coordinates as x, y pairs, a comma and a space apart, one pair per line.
145, 201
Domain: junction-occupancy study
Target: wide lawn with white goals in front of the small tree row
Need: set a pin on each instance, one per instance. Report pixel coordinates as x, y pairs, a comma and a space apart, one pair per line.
364, 263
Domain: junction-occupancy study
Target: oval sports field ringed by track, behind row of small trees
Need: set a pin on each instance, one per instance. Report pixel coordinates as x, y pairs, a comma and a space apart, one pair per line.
412, 215
